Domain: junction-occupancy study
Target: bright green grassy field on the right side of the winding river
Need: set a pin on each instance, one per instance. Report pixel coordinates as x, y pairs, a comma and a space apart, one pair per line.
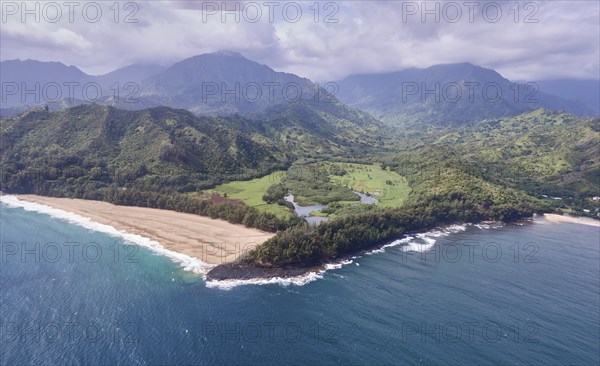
389, 188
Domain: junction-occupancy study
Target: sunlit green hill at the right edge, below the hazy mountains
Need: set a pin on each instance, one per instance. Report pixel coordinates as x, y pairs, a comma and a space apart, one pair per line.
542, 152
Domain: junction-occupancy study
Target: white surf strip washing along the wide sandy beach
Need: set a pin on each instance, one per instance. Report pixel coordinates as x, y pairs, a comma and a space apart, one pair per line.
188, 263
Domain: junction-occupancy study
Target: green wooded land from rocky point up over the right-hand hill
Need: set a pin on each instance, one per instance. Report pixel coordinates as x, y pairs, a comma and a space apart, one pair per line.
468, 175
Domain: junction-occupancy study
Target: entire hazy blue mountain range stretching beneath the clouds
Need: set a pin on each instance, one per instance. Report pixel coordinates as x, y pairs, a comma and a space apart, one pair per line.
226, 83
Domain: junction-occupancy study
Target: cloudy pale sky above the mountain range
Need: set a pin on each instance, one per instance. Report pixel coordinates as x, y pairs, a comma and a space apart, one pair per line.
526, 40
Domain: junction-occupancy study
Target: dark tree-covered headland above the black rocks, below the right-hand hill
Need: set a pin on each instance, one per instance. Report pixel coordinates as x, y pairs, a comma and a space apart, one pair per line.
435, 200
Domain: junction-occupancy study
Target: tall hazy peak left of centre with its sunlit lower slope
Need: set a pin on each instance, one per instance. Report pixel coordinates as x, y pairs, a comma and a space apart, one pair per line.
284, 107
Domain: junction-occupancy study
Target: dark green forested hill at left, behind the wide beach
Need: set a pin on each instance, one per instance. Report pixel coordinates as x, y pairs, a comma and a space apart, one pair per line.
92, 146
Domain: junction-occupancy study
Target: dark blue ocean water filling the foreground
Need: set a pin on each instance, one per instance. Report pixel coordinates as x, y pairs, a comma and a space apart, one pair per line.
535, 305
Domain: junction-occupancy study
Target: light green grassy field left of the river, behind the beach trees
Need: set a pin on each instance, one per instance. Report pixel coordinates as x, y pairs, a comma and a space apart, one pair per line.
251, 193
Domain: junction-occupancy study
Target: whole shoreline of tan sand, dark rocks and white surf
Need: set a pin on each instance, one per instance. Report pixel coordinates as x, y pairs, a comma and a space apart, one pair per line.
210, 246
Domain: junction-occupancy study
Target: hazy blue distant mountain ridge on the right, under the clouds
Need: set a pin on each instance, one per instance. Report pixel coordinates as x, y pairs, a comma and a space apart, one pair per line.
446, 94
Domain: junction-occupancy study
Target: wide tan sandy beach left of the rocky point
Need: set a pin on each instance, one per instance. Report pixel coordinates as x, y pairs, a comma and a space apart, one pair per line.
211, 241
